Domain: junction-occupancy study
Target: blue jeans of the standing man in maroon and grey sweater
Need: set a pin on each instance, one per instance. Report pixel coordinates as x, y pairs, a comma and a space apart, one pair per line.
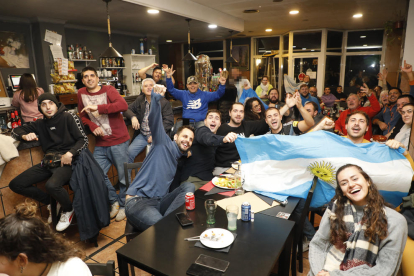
117, 155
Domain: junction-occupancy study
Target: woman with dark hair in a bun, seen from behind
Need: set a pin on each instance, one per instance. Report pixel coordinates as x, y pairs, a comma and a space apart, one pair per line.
28, 247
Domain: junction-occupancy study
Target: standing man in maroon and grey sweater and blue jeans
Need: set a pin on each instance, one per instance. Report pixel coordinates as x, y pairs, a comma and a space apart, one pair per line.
100, 109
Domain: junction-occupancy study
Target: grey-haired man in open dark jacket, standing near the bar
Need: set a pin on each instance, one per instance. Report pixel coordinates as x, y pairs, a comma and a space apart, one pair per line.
138, 112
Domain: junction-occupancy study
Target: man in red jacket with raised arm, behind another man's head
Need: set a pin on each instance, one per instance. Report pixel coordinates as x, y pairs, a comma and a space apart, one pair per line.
353, 105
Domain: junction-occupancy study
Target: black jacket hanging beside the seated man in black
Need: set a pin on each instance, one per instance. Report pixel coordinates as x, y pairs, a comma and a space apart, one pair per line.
90, 201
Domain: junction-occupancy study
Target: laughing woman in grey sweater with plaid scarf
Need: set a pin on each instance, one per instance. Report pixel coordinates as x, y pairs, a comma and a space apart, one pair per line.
358, 234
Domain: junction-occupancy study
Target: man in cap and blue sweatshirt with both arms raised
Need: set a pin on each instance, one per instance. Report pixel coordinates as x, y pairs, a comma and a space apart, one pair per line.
195, 102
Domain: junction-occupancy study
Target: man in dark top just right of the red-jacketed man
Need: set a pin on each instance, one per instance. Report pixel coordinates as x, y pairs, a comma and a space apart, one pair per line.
387, 118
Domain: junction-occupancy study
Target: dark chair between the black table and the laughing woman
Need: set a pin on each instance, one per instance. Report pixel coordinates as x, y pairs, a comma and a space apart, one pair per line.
297, 250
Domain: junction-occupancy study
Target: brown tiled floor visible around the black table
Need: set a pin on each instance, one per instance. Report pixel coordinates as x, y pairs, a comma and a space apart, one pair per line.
111, 238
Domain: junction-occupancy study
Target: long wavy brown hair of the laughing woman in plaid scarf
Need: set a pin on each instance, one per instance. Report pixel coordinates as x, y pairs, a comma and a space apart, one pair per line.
374, 217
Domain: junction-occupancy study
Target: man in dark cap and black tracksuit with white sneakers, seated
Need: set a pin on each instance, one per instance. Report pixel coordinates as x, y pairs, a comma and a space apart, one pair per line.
61, 135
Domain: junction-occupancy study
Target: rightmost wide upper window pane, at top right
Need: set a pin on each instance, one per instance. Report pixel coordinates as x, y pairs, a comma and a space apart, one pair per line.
363, 41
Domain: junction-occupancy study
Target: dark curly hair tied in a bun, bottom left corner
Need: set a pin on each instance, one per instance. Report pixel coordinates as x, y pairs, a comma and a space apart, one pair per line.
22, 232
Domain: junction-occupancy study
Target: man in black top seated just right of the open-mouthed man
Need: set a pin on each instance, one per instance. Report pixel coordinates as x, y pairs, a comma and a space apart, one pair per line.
227, 153
